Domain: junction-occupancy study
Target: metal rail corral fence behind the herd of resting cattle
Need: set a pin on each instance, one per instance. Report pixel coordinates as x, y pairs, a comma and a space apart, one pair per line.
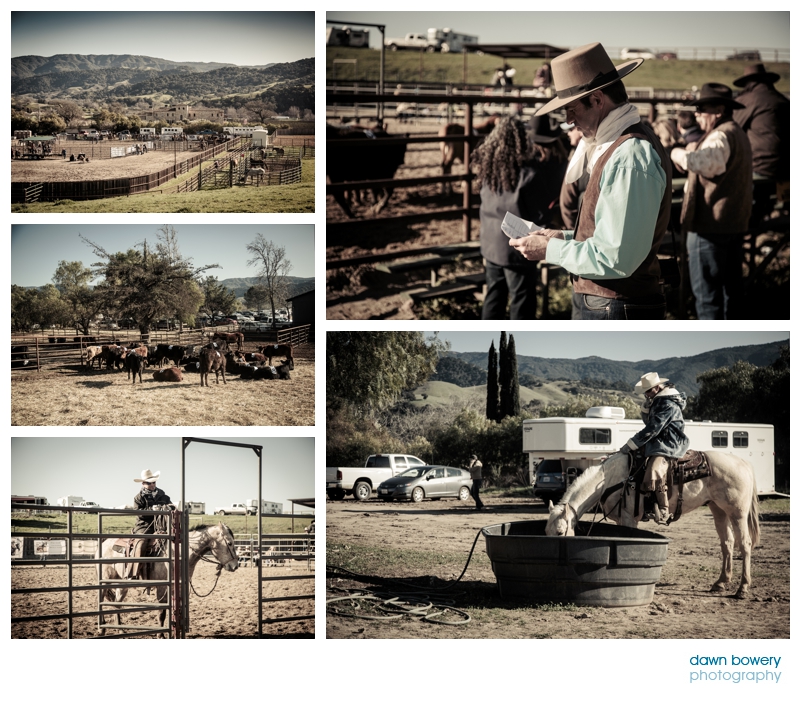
33, 352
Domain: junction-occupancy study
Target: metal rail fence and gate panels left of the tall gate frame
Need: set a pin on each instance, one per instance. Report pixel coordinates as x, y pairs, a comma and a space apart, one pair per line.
70, 548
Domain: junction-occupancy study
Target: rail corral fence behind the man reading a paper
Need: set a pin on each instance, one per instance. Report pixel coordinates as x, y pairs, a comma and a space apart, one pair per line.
432, 259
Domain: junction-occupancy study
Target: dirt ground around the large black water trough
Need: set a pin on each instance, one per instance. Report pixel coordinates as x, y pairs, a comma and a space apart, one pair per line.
432, 540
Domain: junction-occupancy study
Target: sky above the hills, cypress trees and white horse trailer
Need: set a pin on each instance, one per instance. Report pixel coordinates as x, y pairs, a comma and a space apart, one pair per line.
618, 346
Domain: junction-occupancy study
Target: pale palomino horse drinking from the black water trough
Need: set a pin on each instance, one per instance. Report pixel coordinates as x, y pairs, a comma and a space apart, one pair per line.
729, 490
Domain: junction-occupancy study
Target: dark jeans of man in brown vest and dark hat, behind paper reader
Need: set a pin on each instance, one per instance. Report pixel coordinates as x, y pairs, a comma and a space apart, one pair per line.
716, 274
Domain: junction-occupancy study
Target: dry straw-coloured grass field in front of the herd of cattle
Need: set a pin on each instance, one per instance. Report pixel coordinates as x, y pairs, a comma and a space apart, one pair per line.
76, 396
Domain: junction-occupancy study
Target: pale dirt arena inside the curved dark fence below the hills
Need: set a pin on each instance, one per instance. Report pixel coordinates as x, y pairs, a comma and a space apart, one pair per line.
58, 170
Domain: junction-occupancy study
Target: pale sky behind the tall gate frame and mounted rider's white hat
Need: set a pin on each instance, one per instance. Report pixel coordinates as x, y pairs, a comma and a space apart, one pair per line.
102, 470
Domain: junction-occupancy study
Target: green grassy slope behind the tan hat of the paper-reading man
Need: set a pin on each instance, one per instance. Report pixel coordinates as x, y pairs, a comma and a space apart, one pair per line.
411, 66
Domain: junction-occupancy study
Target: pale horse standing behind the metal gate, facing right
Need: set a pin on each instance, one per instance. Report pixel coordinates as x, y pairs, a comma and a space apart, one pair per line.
217, 540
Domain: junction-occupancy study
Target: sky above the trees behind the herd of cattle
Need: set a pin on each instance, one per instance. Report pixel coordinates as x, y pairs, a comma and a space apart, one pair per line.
36, 249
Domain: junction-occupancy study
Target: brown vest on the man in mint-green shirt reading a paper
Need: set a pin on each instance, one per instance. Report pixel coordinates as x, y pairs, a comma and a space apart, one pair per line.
644, 282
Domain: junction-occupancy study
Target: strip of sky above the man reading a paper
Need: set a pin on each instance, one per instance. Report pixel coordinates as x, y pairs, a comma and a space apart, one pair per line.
654, 30
